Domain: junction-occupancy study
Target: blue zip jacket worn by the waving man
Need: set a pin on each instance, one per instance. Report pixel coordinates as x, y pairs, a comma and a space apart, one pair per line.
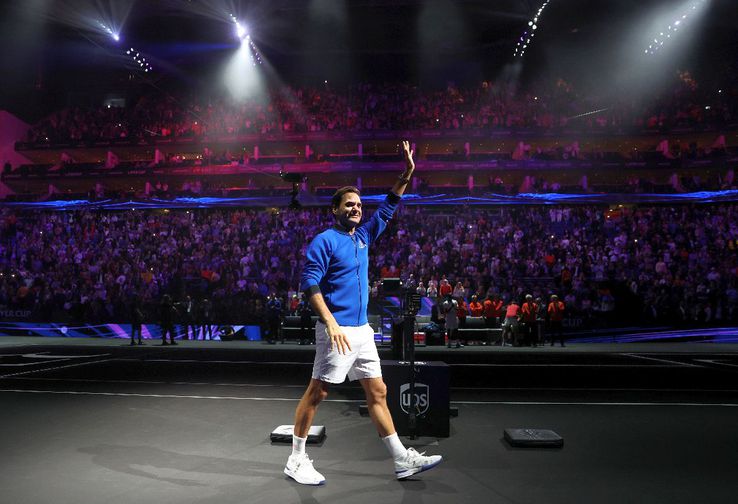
337, 265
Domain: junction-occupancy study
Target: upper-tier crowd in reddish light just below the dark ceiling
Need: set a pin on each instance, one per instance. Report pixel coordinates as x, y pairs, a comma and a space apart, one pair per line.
367, 107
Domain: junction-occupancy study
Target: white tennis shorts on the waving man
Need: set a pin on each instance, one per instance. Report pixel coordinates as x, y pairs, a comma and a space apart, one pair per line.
361, 362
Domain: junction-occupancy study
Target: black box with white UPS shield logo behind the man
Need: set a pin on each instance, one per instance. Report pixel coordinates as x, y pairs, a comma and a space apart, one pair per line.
431, 396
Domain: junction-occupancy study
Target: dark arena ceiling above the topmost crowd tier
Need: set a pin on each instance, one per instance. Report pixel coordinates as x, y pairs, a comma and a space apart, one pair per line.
57, 47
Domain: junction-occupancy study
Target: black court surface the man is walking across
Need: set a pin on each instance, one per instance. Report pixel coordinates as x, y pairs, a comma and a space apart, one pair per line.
96, 421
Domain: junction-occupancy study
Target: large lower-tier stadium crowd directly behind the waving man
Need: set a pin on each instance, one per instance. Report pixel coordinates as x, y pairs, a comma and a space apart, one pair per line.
642, 264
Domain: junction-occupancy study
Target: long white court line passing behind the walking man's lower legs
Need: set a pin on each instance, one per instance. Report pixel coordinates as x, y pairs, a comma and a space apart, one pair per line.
362, 401
